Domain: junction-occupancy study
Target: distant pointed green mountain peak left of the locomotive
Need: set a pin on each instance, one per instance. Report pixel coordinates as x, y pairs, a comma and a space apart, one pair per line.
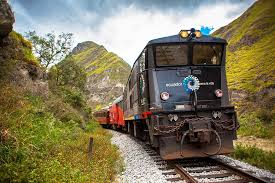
107, 73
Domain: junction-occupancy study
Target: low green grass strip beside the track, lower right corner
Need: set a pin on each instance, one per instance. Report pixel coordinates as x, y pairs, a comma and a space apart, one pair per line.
255, 156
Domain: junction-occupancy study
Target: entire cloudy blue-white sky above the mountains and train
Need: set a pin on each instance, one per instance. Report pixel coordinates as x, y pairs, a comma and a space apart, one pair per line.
123, 26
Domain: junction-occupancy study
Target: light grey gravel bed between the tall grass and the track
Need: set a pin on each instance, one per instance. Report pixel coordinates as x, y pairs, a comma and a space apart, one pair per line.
139, 166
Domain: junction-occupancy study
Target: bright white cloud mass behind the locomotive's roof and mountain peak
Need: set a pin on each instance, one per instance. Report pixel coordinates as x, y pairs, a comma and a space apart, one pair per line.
128, 32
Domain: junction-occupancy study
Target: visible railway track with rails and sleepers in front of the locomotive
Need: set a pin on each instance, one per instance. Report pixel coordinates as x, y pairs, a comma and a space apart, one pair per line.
197, 170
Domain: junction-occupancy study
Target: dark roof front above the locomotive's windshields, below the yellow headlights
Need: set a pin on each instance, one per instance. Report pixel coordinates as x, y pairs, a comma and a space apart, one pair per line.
178, 39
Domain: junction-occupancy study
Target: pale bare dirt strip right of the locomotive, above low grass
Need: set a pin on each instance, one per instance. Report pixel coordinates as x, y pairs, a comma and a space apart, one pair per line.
265, 144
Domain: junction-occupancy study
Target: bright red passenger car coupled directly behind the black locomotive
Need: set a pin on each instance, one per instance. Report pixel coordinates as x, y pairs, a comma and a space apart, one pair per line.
116, 113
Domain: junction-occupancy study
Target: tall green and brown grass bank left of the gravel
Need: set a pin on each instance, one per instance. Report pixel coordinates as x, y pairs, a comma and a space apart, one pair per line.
40, 145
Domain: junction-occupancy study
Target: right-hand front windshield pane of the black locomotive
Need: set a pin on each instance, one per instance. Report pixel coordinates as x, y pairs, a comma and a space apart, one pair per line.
207, 54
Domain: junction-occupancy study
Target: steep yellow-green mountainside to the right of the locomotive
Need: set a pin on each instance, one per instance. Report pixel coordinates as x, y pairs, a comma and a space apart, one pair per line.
251, 57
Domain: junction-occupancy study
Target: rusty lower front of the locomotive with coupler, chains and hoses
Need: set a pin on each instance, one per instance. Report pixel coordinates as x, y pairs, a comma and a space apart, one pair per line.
187, 134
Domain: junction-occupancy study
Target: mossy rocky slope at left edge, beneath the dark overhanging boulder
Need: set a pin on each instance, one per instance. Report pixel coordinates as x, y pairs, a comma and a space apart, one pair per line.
19, 66
